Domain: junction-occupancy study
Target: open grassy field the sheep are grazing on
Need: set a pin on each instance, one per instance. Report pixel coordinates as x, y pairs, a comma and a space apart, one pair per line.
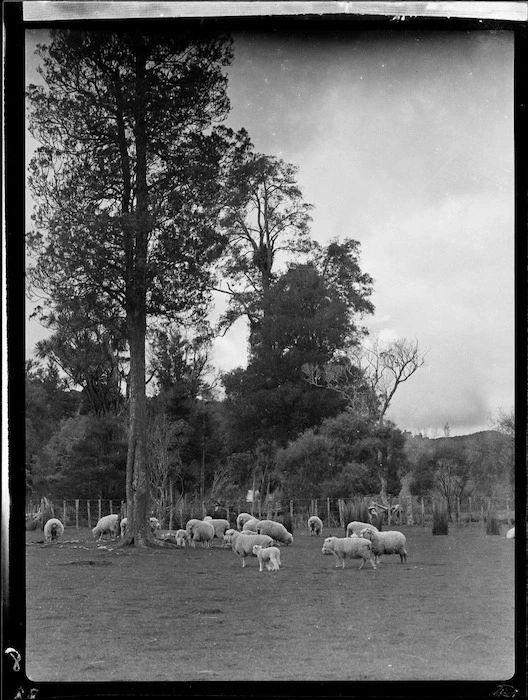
99, 613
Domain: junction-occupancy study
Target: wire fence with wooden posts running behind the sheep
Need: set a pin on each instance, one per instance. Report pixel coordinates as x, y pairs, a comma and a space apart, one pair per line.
334, 512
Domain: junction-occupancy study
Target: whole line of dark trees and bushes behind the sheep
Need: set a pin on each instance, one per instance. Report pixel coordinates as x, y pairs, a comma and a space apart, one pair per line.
145, 206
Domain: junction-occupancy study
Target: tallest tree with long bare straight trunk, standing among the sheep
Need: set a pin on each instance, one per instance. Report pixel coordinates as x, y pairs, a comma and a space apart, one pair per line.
128, 182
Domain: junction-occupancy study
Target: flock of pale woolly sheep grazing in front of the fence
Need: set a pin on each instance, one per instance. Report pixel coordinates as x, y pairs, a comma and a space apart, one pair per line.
262, 538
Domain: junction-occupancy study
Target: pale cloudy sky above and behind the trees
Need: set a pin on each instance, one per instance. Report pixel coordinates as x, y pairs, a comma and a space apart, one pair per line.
403, 141
